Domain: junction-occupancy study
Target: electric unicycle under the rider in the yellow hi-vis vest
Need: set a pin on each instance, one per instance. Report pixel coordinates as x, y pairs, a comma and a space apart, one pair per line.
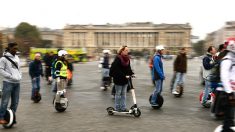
62, 104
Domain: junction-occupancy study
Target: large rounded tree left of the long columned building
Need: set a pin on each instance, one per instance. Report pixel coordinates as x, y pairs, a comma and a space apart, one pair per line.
27, 36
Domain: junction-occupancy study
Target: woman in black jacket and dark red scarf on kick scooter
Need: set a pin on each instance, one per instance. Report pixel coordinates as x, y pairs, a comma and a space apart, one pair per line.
120, 71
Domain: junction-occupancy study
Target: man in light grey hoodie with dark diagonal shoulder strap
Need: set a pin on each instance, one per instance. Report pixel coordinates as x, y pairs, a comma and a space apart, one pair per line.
10, 70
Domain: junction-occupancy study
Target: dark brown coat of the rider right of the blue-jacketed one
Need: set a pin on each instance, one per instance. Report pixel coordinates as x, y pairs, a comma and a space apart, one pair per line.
180, 63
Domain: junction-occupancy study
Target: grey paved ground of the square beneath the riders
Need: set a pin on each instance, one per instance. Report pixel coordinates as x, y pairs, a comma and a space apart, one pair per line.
87, 105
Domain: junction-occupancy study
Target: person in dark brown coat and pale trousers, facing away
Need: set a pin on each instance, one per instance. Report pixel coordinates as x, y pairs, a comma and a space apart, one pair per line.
180, 69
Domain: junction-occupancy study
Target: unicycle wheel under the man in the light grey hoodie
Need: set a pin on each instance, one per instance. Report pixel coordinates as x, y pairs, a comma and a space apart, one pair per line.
10, 118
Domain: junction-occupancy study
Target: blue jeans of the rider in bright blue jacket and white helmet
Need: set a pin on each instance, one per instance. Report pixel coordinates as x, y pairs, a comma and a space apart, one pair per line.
157, 90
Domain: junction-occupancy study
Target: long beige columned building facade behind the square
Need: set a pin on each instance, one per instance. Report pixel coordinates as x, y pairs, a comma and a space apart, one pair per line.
137, 36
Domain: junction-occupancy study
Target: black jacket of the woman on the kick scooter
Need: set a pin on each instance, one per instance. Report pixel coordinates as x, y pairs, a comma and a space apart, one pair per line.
119, 72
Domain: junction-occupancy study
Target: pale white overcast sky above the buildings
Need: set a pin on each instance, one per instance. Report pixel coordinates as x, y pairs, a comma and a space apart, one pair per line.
204, 16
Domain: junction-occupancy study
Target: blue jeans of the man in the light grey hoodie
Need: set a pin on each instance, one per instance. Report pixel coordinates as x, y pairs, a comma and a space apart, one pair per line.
10, 90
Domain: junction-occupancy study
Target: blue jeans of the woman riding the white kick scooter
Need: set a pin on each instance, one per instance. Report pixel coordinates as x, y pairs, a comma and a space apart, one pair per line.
120, 97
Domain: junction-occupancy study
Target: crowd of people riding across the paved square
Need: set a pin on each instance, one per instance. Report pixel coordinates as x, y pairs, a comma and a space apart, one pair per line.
218, 67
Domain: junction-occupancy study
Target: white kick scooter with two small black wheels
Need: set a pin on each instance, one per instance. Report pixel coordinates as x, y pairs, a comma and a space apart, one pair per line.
134, 110
